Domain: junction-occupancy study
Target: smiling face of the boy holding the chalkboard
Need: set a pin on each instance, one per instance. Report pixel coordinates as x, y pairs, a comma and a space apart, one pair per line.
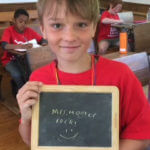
68, 36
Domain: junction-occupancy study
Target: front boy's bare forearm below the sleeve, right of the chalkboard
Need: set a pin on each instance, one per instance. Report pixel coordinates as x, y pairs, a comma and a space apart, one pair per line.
134, 144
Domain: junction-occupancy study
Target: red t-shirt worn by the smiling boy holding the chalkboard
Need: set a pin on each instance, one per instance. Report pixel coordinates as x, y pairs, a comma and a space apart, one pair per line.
134, 107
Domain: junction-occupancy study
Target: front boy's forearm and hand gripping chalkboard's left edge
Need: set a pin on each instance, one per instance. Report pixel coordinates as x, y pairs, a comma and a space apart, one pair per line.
27, 96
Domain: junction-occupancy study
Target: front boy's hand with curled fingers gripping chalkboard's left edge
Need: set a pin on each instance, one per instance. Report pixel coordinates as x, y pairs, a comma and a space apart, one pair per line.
27, 97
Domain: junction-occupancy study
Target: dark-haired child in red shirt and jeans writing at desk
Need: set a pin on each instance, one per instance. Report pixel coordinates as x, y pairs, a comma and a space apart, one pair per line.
15, 37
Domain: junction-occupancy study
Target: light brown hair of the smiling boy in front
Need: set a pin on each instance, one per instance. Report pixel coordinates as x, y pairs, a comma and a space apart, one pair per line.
87, 9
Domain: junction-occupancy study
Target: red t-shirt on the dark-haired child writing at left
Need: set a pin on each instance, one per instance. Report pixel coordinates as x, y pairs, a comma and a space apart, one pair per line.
11, 36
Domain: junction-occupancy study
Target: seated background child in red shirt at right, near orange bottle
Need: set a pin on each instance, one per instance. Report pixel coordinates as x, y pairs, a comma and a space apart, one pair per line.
108, 35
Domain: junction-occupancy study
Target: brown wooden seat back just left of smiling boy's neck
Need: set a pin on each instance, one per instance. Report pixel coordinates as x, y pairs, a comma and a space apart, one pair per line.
38, 57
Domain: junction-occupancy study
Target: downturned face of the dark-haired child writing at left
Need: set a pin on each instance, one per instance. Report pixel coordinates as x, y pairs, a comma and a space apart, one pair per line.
20, 23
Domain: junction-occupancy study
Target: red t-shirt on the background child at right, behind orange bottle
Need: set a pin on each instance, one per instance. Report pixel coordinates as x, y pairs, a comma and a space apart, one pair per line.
106, 31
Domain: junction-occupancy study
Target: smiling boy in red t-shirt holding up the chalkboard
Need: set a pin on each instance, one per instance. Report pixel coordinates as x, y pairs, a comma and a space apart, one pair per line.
69, 32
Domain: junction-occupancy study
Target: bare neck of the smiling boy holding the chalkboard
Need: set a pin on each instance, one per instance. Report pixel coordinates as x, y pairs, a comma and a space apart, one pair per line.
75, 67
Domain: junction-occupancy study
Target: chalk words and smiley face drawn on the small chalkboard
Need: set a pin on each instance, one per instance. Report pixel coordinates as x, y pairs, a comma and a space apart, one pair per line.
64, 118
